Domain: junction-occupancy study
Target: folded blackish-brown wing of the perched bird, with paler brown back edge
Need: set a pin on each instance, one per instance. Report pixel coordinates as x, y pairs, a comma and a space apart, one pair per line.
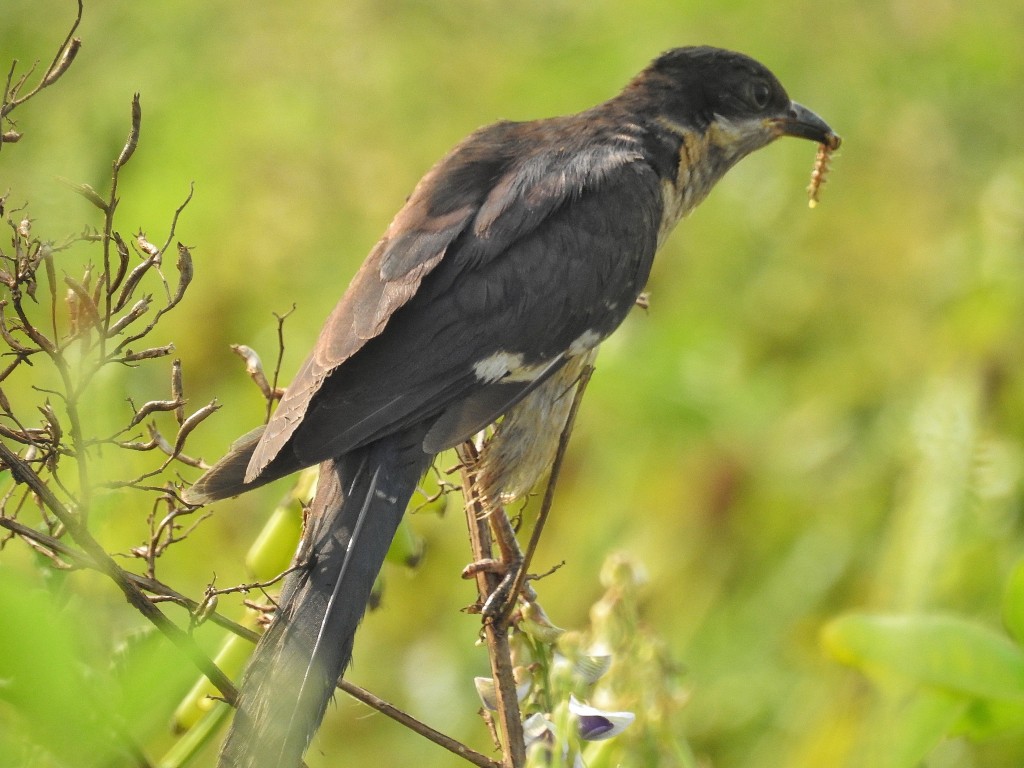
462, 259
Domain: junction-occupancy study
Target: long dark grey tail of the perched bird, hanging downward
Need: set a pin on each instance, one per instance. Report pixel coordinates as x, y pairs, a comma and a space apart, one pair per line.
360, 502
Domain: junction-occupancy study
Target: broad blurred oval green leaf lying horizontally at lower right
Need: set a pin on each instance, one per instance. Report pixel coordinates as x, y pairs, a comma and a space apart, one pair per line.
938, 651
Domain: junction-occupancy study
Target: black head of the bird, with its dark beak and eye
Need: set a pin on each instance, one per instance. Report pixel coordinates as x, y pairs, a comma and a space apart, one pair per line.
731, 103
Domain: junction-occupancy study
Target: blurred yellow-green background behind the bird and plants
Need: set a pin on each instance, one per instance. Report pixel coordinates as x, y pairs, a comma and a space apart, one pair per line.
822, 412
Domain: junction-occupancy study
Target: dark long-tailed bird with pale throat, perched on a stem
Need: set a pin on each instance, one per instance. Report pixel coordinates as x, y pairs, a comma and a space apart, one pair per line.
514, 259
